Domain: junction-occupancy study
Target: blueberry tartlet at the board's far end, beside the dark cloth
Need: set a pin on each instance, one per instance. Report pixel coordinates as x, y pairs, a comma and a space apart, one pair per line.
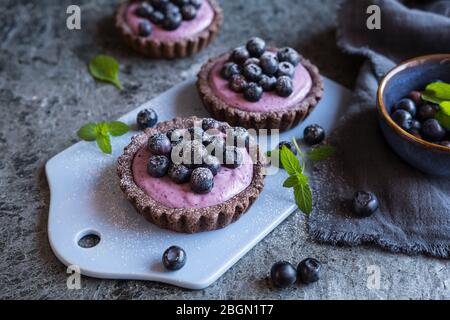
258, 87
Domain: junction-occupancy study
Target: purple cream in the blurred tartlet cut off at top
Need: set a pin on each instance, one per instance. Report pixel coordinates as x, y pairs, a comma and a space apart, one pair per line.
202, 21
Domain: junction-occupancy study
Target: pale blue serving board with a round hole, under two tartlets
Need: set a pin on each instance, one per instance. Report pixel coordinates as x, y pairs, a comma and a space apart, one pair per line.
86, 199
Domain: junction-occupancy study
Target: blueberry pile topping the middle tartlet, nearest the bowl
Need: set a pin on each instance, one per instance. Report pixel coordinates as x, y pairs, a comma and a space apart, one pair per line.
252, 69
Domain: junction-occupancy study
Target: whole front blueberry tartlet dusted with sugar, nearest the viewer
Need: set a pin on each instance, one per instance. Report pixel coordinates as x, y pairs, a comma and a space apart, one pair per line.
191, 175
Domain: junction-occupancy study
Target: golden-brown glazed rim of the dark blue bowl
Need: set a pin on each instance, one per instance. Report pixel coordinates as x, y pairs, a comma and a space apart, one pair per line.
383, 110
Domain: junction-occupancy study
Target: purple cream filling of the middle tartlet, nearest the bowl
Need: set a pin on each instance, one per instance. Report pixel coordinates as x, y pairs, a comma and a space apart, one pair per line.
270, 101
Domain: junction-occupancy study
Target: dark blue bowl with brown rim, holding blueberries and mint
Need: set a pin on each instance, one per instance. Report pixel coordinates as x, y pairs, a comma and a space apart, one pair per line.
413, 104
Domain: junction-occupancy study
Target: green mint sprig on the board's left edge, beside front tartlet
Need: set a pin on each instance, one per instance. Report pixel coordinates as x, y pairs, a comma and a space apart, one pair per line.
102, 132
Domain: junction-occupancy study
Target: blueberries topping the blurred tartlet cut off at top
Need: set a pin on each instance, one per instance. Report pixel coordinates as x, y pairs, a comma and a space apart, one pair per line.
169, 14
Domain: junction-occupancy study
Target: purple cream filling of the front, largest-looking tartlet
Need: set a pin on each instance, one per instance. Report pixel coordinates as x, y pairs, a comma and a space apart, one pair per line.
227, 184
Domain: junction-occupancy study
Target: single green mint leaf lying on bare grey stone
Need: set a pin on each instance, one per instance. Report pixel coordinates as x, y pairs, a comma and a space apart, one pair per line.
105, 68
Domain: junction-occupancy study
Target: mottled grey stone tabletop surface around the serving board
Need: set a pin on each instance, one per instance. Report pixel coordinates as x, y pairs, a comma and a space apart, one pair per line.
46, 94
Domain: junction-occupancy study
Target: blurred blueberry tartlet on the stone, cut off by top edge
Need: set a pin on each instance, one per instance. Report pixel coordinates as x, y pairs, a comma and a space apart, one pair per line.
169, 28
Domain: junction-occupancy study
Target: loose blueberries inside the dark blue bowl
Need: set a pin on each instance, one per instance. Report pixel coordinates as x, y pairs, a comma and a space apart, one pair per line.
417, 117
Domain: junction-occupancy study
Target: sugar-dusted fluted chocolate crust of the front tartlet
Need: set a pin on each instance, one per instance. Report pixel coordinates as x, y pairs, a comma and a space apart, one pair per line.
184, 219
